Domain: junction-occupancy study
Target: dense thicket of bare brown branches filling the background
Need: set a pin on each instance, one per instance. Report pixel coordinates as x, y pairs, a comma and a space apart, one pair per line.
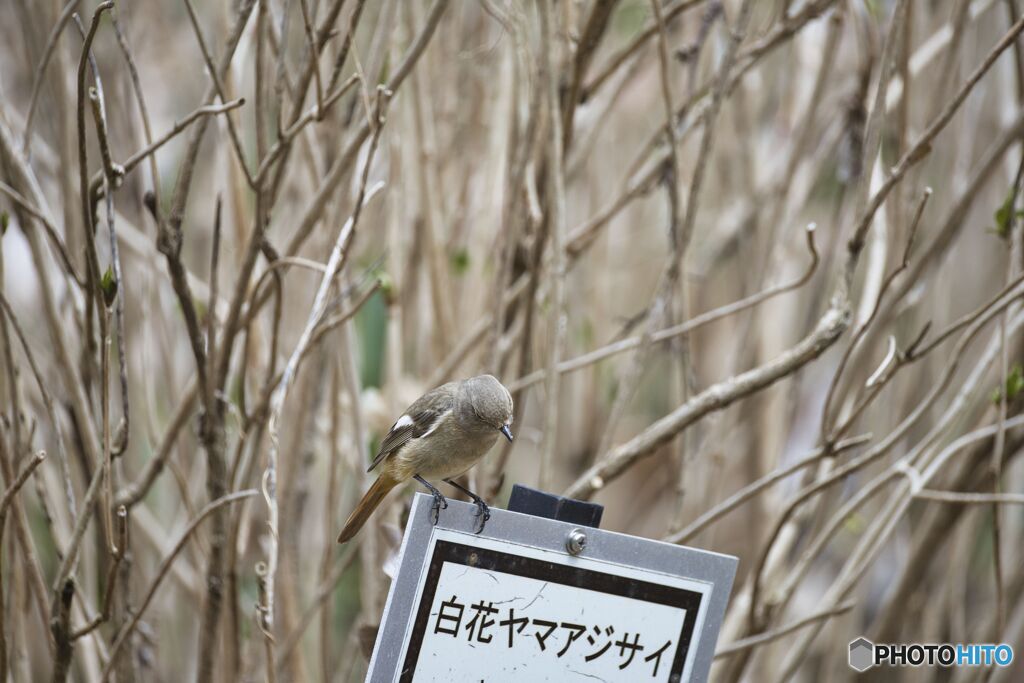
240, 238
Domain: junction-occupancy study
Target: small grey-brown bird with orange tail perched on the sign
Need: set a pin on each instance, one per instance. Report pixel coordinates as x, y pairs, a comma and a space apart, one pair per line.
441, 437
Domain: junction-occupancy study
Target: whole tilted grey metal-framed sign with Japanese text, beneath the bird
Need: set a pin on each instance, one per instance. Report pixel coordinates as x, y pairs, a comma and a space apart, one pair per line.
525, 602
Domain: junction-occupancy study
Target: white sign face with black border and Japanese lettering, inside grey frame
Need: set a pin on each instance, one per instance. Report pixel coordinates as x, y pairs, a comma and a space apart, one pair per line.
529, 617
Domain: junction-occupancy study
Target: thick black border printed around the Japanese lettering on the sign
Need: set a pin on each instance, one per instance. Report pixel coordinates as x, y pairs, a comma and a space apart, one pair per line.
558, 573
